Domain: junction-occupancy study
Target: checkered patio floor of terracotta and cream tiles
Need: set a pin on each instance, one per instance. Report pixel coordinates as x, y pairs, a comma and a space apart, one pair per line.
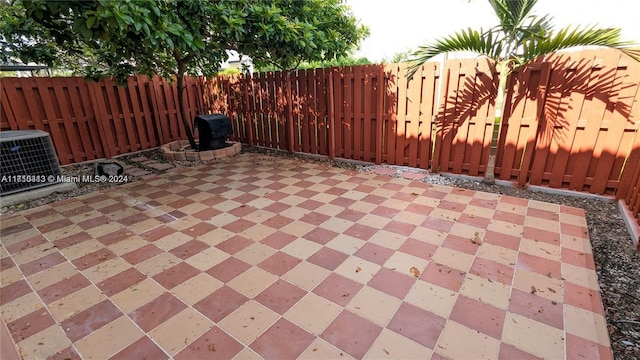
268, 257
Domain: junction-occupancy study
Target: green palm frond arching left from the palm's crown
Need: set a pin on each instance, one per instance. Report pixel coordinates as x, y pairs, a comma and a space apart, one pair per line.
483, 43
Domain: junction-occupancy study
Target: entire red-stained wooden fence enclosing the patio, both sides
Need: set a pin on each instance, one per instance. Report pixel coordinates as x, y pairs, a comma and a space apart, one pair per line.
571, 121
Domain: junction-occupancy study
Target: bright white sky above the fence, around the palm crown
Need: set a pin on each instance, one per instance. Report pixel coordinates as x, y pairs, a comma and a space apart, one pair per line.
398, 25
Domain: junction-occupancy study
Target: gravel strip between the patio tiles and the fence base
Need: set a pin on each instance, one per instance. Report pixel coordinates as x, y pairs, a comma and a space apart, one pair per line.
617, 262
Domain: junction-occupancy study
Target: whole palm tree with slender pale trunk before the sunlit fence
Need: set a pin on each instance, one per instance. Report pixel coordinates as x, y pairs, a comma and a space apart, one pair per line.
518, 39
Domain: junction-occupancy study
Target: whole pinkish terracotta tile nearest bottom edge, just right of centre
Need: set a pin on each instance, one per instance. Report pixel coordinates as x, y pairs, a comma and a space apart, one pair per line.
351, 333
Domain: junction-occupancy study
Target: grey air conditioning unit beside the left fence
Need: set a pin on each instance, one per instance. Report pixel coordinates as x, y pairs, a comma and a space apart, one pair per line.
28, 160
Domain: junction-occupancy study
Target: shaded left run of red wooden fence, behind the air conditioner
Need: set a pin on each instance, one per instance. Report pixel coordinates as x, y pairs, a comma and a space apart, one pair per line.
93, 120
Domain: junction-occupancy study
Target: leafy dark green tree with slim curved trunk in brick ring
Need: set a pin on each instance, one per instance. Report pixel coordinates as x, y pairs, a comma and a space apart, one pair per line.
174, 37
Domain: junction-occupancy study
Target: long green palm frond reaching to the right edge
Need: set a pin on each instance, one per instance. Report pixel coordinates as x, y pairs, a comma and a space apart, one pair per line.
569, 37
